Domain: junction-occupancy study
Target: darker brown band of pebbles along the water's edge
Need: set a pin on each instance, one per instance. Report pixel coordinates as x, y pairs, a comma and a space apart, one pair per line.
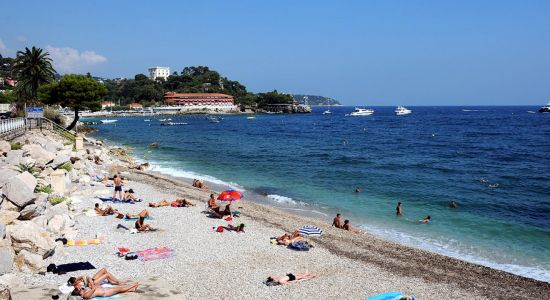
391, 256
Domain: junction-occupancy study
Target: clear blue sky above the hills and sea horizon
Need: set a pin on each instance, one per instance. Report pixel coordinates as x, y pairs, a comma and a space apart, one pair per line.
359, 52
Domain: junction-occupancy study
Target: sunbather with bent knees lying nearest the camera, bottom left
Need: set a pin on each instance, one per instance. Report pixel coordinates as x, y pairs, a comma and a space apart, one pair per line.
89, 288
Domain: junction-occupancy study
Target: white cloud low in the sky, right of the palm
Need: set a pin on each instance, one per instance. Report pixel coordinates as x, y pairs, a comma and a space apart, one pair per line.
68, 59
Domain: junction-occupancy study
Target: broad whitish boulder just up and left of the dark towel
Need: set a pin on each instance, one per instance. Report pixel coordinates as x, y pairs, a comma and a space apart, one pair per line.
29, 236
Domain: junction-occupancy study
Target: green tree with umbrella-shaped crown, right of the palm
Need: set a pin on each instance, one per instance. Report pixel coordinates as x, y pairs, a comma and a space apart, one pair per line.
75, 91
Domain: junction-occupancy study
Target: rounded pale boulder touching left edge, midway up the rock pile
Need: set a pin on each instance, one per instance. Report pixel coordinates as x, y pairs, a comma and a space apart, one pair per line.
20, 189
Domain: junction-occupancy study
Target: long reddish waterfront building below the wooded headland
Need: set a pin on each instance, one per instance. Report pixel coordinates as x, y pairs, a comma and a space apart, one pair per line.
198, 99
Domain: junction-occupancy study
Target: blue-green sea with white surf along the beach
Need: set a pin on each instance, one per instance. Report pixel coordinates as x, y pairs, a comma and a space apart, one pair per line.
493, 161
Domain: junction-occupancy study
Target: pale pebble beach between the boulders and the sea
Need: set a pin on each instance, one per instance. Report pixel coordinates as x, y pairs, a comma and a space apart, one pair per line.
212, 265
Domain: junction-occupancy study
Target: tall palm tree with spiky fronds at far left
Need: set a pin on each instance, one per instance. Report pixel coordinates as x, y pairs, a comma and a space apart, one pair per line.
32, 67
